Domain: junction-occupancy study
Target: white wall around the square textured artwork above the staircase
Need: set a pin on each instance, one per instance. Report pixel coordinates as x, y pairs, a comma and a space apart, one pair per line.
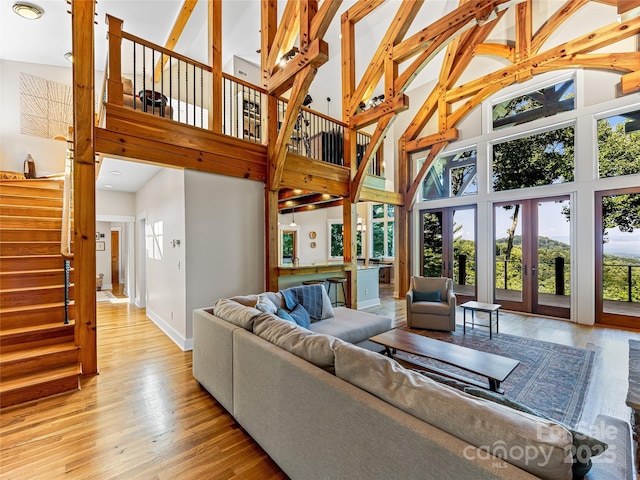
49, 154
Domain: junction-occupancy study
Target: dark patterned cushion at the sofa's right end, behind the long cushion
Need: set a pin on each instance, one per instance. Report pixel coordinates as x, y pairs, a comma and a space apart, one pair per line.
584, 446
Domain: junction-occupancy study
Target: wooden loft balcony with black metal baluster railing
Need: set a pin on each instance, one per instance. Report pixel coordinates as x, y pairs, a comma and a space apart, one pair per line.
162, 107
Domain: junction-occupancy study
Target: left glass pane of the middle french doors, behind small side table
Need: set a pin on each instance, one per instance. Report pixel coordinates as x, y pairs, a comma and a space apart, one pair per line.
508, 255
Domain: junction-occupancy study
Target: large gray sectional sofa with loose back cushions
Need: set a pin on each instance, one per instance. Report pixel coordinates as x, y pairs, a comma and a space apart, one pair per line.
324, 408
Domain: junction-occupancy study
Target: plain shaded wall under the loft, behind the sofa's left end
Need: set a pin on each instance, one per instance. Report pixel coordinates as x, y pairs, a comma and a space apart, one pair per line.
224, 244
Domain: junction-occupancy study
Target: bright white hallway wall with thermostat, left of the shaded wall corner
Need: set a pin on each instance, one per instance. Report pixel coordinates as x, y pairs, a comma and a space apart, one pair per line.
162, 198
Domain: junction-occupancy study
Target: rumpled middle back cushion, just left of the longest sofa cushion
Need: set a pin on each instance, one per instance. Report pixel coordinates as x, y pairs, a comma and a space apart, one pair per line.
312, 347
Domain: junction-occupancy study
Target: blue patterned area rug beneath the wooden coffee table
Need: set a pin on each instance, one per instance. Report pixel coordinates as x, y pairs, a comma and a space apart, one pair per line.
552, 379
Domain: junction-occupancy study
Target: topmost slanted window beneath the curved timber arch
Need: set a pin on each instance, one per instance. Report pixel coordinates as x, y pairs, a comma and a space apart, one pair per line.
540, 103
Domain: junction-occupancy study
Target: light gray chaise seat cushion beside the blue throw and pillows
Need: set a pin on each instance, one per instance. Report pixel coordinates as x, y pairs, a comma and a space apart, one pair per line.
351, 325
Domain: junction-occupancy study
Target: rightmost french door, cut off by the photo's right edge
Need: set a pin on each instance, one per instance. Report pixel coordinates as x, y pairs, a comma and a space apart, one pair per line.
618, 258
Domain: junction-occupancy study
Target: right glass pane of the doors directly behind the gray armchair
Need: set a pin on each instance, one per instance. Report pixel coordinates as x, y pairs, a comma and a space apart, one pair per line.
464, 251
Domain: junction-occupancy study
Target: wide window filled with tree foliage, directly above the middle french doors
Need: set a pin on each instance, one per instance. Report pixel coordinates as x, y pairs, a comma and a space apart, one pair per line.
541, 159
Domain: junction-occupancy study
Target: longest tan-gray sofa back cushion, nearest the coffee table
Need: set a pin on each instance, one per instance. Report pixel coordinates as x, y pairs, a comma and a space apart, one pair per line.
536, 445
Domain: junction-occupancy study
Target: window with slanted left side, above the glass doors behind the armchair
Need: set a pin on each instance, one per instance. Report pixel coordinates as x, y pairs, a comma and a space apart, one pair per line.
452, 175
